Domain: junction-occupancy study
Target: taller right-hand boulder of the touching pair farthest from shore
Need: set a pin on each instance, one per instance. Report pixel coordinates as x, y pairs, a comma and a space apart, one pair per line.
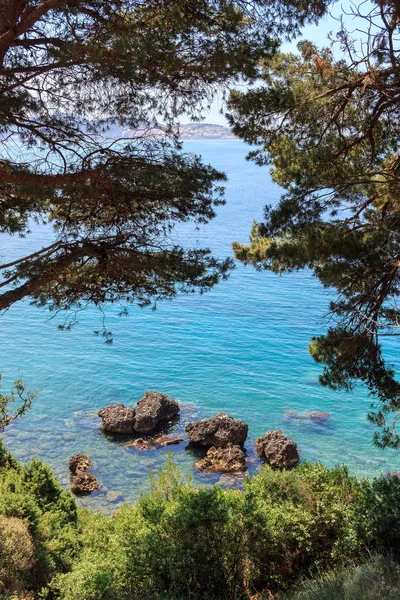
151, 410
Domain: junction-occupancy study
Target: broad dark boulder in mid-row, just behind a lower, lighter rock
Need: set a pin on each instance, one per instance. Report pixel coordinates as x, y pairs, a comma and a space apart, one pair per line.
218, 431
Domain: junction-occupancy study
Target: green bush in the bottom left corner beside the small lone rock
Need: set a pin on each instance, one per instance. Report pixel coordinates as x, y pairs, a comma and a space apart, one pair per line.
32, 499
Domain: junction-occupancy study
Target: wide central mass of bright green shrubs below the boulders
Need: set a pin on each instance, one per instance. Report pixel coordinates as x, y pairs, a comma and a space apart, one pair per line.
219, 544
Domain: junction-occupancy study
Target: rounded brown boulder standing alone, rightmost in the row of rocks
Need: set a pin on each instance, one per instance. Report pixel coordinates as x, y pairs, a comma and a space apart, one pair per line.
279, 450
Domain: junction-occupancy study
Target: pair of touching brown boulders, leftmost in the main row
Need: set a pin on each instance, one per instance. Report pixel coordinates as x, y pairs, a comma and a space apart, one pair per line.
146, 417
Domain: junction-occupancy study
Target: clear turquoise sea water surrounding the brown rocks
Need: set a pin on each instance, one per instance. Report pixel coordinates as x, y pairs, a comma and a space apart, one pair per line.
241, 348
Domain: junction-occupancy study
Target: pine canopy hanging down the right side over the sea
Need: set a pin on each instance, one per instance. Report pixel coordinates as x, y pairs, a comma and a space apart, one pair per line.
327, 121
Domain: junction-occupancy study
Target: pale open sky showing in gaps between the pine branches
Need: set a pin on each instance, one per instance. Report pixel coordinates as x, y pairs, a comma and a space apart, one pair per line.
316, 33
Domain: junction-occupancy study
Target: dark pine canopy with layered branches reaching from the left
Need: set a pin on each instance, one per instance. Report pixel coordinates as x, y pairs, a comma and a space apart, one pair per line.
70, 71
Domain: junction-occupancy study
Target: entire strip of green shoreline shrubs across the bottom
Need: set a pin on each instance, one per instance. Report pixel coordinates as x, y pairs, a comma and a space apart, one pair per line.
181, 540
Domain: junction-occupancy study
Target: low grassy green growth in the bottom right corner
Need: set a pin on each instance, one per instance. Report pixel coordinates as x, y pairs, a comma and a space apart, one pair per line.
377, 578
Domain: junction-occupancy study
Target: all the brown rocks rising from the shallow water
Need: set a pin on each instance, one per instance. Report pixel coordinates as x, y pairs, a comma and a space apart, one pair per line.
222, 435
